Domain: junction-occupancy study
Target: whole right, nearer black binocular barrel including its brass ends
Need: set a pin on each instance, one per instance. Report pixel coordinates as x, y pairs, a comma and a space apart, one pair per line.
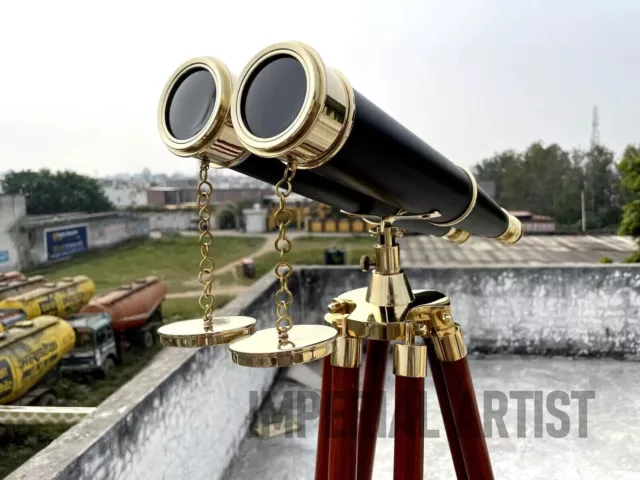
287, 104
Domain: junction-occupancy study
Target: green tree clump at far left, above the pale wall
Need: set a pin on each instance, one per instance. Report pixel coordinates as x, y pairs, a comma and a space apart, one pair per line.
60, 192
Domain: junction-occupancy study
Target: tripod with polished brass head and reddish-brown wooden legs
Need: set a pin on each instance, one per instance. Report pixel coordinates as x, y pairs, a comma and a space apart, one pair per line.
387, 310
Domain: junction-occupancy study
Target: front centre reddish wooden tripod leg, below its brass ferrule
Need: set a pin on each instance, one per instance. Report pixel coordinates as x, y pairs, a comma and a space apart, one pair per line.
408, 456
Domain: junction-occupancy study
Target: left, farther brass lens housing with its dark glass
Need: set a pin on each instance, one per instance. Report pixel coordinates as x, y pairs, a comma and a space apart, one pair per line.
194, 113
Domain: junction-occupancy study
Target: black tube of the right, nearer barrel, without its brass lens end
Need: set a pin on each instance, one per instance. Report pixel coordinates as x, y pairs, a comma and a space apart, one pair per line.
387, 161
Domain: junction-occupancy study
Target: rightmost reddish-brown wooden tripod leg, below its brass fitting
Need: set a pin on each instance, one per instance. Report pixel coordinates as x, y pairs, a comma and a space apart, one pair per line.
462, 398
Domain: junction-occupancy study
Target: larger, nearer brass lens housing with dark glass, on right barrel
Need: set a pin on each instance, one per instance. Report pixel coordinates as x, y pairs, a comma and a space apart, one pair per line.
288, 104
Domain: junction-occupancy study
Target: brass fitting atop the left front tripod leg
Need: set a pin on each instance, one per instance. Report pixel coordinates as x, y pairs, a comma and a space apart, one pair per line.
347, 351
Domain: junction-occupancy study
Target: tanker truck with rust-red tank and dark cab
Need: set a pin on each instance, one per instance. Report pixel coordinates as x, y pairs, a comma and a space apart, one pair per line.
107, 324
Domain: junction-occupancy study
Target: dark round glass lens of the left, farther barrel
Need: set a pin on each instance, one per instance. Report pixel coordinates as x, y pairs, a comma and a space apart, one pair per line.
190, 103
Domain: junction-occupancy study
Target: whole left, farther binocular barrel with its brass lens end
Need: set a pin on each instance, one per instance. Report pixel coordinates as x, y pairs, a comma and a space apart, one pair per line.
194, 121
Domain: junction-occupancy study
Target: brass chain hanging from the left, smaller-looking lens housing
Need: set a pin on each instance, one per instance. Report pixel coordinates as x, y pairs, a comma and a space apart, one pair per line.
205, 276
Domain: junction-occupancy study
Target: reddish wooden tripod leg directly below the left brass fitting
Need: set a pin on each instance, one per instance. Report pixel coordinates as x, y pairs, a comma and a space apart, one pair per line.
344, 423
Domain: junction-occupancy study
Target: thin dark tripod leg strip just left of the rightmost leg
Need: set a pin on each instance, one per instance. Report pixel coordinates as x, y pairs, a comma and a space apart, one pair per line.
447, 412
